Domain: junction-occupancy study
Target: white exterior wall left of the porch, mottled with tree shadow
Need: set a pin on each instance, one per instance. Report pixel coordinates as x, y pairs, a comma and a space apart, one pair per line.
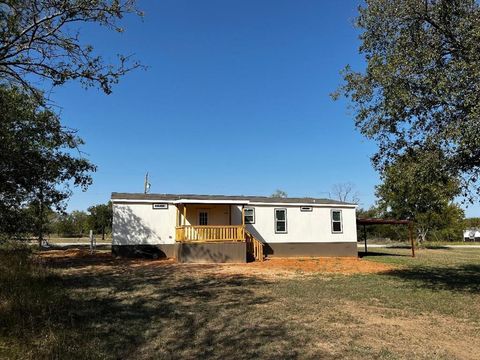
140, 224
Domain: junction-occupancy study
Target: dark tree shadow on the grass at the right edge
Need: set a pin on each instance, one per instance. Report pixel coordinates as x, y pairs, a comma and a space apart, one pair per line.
465, 278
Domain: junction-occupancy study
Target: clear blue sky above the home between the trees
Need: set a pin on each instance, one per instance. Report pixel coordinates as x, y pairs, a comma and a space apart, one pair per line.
235, 100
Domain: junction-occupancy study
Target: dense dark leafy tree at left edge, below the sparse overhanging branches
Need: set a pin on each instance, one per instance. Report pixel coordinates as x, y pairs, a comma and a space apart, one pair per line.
40, 161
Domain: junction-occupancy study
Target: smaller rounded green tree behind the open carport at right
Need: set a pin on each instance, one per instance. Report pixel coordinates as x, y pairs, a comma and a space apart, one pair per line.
411, 190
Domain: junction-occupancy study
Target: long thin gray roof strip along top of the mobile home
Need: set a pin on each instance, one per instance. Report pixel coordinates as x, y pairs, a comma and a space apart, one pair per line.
264, 199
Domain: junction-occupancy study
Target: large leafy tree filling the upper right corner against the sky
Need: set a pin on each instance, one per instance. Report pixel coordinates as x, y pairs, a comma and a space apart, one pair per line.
420, 89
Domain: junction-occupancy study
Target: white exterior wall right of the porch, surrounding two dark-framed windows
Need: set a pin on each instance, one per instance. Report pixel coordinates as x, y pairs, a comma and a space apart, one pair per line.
302, 227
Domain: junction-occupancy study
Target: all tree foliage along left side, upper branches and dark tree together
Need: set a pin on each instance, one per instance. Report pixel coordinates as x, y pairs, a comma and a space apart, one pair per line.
40, 45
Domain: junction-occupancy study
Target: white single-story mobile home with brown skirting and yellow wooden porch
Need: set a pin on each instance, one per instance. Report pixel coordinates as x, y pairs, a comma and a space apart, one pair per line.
219, 228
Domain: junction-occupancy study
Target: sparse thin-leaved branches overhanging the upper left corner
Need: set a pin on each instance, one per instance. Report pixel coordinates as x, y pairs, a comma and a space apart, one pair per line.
40, 40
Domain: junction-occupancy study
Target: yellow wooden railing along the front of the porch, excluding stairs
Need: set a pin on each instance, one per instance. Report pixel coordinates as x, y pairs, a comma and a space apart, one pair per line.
210, 233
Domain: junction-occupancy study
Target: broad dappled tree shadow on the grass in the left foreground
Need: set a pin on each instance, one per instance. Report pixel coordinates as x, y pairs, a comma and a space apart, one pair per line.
167, 310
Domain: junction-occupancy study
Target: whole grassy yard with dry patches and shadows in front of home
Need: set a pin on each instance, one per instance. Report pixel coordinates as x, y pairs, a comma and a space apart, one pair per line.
427, 307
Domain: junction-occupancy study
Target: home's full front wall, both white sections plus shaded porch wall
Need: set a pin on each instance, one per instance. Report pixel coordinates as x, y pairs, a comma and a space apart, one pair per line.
139, 223
